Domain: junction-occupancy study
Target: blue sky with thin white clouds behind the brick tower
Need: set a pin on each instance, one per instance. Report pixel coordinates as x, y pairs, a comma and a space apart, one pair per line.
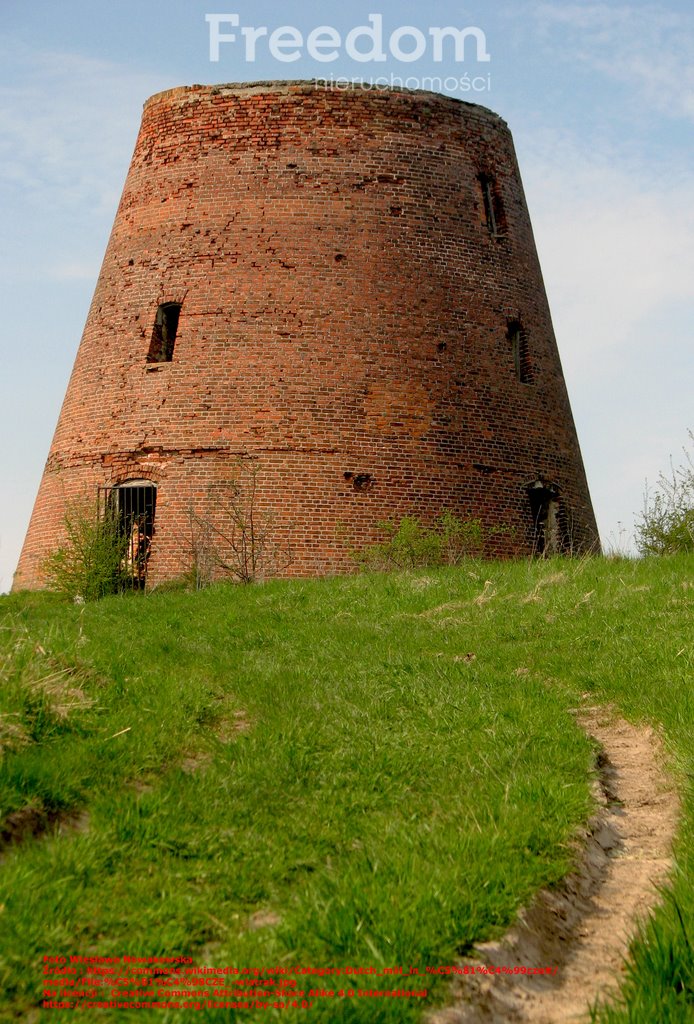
599, 98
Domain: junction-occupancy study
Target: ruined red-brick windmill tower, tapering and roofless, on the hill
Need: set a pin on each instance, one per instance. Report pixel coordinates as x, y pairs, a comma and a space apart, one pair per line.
340, 286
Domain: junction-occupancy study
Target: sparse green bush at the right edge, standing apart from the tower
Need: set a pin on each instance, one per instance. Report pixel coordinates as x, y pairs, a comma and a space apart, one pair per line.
667, 524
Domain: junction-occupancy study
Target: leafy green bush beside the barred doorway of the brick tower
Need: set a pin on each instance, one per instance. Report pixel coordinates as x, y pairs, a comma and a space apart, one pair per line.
91, 563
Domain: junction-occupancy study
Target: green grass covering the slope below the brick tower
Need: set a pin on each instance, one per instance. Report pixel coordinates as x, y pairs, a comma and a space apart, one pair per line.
328, 754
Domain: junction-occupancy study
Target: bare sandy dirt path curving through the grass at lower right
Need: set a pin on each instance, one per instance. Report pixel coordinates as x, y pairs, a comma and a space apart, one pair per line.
585, 927
